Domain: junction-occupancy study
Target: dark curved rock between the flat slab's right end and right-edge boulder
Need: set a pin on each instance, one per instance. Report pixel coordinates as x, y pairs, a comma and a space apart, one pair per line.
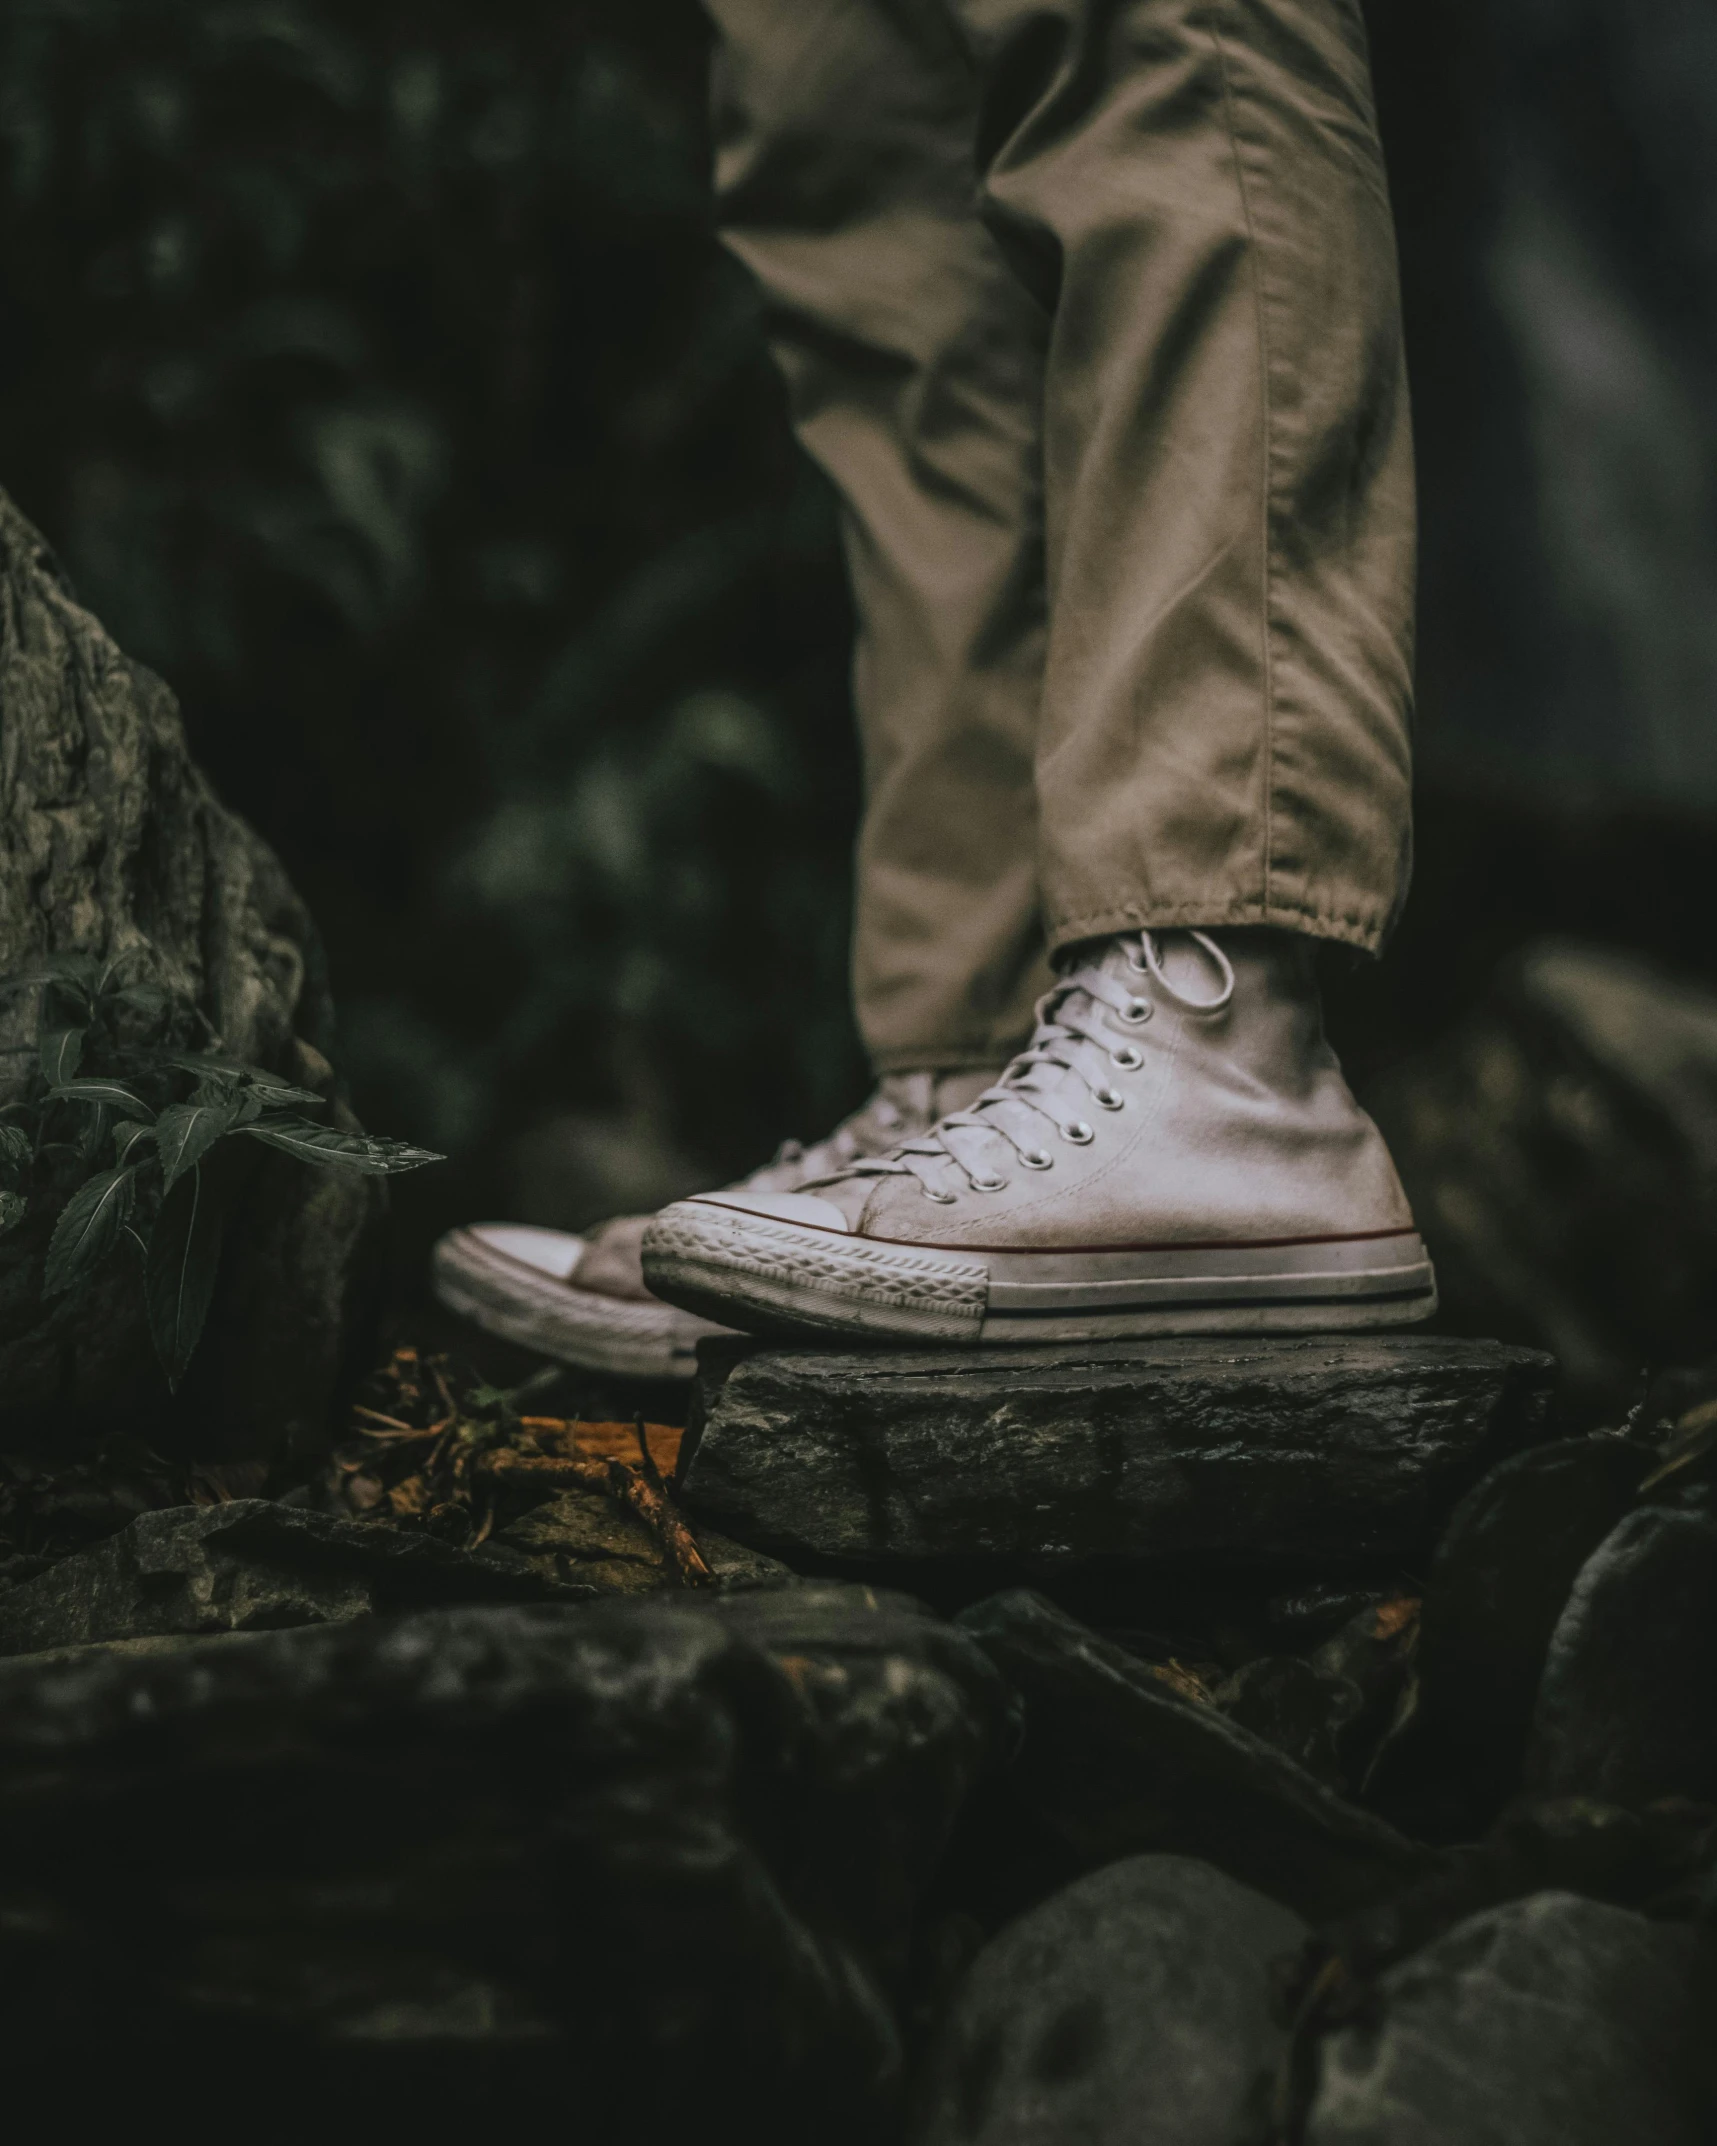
1497, 1587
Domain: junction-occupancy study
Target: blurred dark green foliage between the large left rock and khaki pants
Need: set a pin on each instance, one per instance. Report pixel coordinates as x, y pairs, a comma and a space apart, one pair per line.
381, 381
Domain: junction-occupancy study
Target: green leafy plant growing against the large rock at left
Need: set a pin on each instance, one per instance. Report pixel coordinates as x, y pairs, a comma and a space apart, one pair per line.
126, 1138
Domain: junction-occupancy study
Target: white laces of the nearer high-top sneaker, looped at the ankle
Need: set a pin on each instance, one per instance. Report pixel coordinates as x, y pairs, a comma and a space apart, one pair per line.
1076, 1027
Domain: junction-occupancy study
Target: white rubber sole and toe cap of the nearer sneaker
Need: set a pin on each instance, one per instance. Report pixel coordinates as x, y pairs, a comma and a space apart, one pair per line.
769, 1276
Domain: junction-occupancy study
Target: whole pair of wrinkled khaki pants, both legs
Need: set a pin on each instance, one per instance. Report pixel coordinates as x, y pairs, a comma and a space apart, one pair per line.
1089, 310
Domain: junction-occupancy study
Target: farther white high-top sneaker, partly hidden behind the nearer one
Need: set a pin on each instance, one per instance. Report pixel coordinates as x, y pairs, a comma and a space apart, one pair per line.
585, 1299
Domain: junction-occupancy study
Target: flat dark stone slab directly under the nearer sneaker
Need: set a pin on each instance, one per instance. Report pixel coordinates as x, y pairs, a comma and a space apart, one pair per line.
1308, 1452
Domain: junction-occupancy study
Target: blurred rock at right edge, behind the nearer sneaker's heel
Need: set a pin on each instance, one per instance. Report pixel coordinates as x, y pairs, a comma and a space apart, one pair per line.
1561, 1156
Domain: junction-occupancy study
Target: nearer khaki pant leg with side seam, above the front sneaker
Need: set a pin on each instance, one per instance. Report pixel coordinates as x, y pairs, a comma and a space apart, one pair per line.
1197, 196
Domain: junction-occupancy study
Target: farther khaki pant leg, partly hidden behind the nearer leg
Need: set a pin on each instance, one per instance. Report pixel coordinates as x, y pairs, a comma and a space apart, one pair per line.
913, 362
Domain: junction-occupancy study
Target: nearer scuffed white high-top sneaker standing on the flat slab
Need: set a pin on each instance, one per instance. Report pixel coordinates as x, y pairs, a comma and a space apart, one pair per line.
1177, 1151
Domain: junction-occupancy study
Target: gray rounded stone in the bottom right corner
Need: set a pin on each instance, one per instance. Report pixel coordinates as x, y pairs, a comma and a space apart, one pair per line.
1546, 2023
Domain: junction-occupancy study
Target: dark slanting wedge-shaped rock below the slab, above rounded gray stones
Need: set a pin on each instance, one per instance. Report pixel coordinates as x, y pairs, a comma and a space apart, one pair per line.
1117, 1763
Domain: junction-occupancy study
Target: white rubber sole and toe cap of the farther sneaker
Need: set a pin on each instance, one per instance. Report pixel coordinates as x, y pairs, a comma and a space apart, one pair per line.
555, 1319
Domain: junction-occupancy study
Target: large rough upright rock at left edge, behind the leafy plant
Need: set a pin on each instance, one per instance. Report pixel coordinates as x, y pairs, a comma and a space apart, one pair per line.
117, 847
